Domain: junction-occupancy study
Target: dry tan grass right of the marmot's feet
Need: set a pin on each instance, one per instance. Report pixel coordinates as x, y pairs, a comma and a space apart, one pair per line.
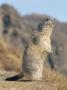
55, 78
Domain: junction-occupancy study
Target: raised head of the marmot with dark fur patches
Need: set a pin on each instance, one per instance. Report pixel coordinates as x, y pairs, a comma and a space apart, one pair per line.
46, 26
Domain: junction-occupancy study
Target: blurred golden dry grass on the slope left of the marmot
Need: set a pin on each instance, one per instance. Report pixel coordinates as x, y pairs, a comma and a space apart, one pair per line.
10, 58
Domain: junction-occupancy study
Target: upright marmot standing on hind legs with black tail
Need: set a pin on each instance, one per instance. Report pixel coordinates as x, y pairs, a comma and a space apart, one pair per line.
36, 52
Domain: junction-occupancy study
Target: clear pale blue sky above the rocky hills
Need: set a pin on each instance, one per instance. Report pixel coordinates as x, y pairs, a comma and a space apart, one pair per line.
55, 8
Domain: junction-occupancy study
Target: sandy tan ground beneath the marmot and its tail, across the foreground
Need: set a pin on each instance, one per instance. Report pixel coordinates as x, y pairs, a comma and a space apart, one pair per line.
54, 83
